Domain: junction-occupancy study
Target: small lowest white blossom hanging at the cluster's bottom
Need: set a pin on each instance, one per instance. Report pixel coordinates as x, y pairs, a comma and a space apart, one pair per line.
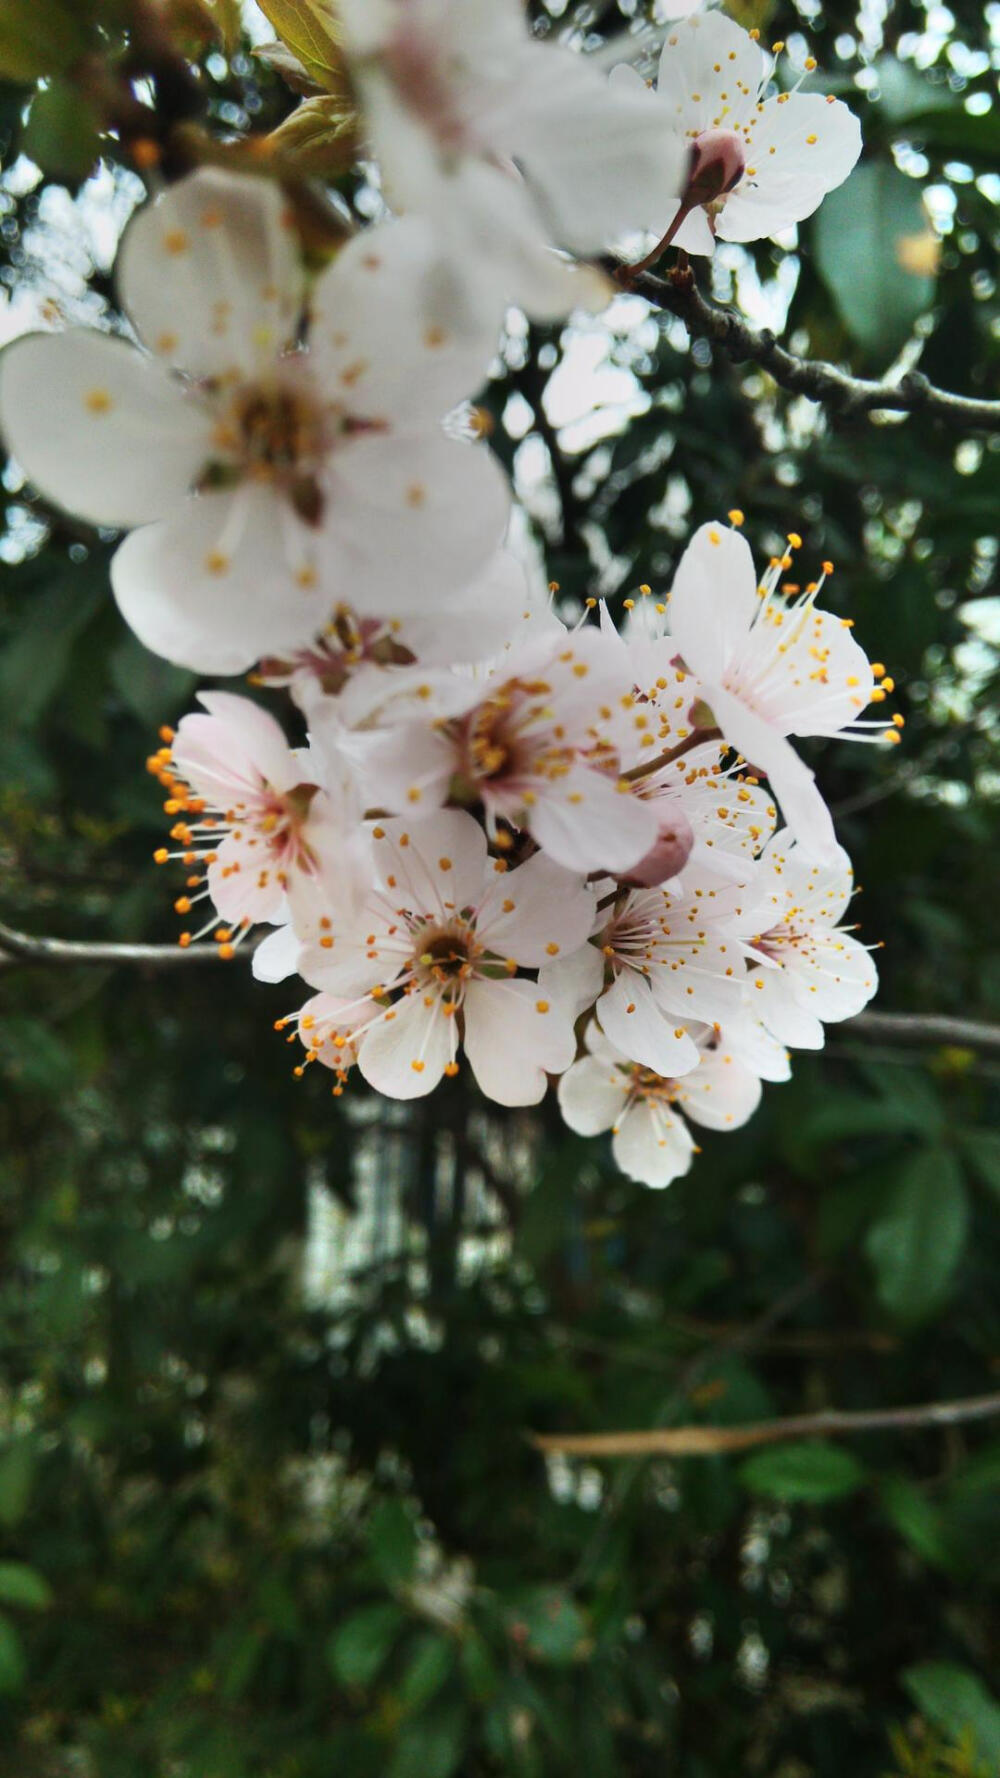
650, 1139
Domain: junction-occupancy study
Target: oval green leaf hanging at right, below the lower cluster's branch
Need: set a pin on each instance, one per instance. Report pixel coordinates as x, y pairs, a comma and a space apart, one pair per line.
917, 1242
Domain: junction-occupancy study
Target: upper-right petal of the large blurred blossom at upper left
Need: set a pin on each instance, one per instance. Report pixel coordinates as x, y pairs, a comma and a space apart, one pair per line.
378, 337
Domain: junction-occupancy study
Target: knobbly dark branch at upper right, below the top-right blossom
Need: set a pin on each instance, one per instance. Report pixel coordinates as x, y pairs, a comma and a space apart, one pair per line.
844, 396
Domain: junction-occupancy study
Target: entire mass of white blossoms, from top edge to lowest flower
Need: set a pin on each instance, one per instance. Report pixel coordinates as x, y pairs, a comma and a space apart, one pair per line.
547, 844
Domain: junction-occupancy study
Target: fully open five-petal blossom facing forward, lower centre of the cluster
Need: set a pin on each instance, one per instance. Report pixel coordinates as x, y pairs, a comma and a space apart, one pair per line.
442, 945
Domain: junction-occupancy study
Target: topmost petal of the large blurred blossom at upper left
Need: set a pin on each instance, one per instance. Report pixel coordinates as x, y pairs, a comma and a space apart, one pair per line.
211, 273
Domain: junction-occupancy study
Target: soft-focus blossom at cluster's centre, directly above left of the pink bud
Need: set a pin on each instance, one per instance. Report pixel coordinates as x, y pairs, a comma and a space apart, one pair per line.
526, 746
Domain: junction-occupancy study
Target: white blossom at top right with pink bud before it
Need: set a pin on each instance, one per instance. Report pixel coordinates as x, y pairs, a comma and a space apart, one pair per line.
754, 166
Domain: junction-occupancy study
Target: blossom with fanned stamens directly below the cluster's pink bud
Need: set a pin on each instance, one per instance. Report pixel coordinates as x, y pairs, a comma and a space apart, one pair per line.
656, 963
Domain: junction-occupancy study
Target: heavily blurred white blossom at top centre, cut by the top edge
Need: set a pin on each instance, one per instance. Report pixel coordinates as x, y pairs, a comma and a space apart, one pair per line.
508, 145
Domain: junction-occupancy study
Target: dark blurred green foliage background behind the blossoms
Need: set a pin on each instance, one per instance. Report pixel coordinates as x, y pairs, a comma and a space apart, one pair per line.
268, 1509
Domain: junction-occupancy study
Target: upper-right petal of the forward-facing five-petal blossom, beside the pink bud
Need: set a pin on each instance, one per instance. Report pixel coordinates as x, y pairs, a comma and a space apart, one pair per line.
535, 913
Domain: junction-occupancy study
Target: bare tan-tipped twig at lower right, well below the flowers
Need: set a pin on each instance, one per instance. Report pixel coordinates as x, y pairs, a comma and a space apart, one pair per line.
702, 1441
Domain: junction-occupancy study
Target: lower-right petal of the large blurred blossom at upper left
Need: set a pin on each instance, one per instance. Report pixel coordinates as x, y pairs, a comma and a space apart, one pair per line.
412, 518
